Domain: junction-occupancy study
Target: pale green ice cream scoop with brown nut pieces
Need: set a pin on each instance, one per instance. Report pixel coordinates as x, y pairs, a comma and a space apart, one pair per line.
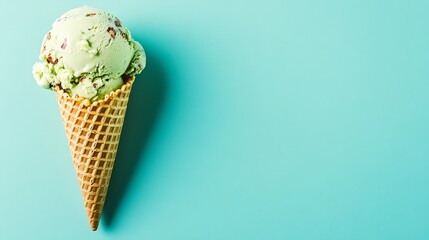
87, 53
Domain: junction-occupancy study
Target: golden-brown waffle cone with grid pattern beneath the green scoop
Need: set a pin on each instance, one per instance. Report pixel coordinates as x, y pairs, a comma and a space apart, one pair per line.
93, 131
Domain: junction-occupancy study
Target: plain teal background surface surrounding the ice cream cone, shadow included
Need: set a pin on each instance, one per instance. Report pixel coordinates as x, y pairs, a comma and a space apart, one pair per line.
270, 119
